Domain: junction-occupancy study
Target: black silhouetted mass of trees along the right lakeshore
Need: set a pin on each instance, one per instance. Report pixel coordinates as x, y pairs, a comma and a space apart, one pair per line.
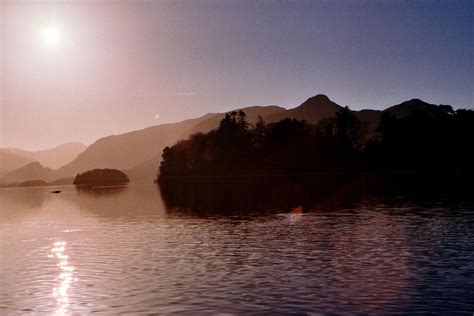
439, 139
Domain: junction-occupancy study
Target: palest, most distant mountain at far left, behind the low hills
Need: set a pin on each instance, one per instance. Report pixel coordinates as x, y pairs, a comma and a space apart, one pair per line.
54, 157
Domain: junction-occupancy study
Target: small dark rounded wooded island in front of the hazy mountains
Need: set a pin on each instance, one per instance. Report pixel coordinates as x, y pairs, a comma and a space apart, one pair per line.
101, 177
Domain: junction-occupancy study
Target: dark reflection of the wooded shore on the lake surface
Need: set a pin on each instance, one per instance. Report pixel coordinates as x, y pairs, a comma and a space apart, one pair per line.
250, 194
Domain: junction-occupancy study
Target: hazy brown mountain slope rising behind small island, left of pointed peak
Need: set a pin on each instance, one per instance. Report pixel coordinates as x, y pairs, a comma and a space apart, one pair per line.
139, 150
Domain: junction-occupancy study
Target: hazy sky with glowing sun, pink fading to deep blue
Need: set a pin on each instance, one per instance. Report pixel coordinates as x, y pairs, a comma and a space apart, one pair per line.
77, 71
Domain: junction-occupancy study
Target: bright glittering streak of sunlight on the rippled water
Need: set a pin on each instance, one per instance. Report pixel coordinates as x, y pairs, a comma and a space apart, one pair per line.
65, 277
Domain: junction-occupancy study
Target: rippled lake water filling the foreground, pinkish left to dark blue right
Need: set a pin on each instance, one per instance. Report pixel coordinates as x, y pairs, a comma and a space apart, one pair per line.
143, 250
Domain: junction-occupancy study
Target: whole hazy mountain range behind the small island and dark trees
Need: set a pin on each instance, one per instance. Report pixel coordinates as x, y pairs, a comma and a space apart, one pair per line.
138, 153
